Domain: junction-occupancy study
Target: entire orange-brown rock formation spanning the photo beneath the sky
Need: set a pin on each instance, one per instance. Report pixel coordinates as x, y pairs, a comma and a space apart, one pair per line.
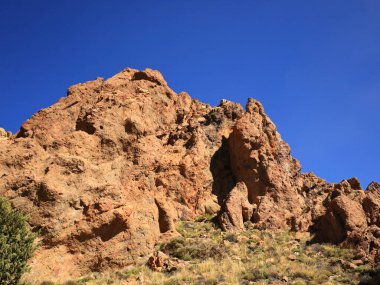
106, 172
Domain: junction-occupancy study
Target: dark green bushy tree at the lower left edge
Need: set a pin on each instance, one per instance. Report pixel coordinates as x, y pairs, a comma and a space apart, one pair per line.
16, 244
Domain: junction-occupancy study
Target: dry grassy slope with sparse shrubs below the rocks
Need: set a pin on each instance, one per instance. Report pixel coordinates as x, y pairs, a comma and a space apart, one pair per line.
249, 257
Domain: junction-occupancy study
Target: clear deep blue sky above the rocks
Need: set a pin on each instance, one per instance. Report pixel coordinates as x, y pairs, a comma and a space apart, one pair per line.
315, 65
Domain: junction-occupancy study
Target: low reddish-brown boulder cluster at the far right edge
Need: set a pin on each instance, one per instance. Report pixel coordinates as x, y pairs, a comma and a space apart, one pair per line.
351, 217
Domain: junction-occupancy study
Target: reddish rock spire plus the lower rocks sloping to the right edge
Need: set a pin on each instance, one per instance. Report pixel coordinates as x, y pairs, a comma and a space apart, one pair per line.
284, 198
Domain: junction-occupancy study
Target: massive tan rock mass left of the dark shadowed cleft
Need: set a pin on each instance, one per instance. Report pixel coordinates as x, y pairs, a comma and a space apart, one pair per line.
106, 171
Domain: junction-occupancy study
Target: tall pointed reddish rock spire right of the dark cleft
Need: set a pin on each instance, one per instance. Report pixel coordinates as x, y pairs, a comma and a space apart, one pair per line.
261, 159
